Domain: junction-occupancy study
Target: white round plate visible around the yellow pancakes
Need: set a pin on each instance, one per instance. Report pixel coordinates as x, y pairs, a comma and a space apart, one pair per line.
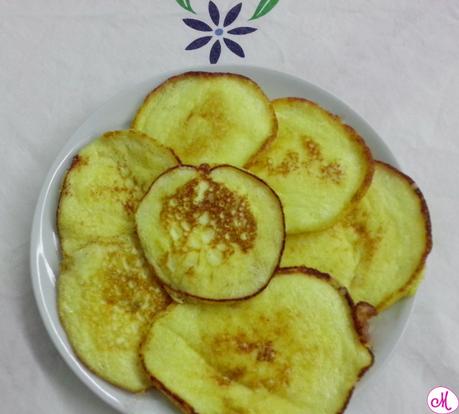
117, 114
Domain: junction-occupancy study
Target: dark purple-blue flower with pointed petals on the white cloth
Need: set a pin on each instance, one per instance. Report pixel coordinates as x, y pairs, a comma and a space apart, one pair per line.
219, 32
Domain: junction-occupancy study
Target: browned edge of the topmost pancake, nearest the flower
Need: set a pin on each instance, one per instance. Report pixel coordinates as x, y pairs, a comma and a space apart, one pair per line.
211, 75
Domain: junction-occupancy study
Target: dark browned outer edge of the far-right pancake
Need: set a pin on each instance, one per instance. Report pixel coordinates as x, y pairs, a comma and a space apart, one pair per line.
428, 234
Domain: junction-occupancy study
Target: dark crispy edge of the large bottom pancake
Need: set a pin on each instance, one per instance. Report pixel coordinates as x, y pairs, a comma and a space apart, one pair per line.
360, 314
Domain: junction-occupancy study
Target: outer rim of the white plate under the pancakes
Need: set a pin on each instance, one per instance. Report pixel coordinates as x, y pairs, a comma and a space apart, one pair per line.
68, 147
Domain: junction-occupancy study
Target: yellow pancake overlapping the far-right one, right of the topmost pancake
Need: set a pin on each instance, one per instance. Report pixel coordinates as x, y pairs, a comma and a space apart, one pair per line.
317, 165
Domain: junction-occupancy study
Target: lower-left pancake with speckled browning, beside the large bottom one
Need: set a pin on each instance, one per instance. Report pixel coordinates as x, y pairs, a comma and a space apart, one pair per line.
107, 299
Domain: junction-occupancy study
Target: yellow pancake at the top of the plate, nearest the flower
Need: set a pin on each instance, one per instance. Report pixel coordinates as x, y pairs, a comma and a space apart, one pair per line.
214, 118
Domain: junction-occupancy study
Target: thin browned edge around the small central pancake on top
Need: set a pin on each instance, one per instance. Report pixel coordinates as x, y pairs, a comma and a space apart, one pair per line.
206, 169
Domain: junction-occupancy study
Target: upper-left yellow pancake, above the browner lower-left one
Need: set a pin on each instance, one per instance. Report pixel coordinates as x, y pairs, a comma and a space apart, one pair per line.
104, 185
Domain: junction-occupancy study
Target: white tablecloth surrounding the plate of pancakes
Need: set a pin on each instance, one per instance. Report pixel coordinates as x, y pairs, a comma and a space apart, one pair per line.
396, 62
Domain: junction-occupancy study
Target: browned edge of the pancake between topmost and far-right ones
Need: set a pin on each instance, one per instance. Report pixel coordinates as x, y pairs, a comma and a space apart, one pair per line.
353, 135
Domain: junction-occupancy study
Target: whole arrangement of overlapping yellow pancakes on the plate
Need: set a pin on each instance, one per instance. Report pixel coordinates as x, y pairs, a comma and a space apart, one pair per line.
229, 250
